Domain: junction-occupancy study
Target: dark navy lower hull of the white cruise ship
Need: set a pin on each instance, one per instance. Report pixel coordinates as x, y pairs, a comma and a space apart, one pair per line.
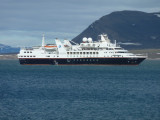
83, 61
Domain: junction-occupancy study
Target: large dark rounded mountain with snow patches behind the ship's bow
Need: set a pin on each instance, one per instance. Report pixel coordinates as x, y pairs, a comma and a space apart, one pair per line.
131, 29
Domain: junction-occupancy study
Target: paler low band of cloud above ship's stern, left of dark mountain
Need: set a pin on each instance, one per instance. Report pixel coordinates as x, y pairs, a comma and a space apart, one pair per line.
27, 39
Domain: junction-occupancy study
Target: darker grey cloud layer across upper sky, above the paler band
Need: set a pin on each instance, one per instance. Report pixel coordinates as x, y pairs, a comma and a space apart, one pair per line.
52, 15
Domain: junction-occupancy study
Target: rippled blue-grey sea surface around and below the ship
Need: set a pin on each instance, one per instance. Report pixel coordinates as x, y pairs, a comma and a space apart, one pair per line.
79, 92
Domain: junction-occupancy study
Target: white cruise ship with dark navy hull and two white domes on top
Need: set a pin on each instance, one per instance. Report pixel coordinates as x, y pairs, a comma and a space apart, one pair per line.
89, 52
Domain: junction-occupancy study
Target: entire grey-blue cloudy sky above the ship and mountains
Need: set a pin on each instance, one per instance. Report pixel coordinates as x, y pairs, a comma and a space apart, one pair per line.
22, 22
